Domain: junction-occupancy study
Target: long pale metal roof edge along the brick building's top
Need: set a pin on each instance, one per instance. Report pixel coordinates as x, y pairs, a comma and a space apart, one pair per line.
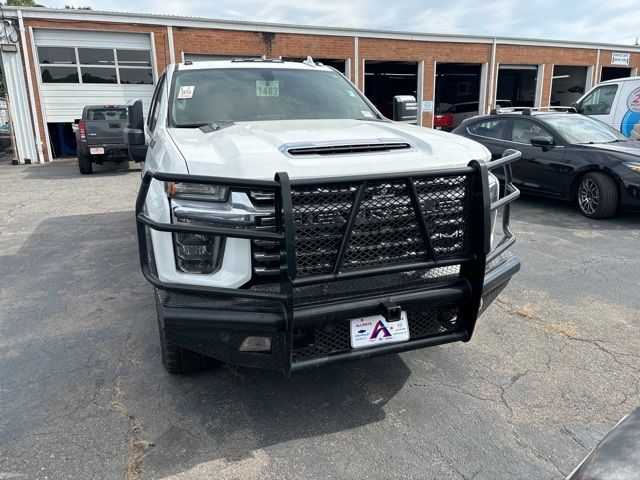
199, 22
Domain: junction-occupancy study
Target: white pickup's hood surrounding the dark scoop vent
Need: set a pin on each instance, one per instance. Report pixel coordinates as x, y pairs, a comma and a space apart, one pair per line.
258, 150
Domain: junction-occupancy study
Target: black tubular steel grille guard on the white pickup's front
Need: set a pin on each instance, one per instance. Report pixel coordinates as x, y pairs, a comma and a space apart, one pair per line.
472, 256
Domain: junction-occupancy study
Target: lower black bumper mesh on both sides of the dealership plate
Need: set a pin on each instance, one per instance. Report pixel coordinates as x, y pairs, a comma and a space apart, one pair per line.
335, 337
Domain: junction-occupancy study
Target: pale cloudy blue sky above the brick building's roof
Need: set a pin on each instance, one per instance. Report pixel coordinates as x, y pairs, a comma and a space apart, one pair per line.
585, 20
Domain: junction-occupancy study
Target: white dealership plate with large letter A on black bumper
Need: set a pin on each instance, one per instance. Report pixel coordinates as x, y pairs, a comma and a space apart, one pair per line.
375, 330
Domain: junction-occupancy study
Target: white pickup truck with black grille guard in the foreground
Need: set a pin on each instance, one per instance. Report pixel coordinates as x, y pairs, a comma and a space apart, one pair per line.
285, 223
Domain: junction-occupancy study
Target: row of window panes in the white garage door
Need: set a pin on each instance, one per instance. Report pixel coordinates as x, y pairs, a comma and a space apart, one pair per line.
95, 65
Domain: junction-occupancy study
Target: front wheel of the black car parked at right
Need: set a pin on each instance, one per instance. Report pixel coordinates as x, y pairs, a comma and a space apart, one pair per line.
597, 195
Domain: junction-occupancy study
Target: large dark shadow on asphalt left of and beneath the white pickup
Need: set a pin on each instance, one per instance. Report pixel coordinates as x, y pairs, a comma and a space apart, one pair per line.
79, 319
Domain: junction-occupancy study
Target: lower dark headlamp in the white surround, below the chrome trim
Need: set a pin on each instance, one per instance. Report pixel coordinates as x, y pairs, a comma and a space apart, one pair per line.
197, 252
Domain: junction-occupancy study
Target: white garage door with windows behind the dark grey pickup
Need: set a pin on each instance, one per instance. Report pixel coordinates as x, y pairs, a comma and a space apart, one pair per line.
78, 68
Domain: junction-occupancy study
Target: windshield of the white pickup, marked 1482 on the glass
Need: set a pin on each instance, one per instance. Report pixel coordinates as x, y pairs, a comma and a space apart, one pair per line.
201, 97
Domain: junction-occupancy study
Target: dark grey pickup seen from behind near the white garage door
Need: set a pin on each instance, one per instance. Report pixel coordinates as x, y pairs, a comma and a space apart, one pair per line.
100, 136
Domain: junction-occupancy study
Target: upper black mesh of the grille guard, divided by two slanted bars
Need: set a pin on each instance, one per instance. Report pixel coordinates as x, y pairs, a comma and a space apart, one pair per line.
386, 230
